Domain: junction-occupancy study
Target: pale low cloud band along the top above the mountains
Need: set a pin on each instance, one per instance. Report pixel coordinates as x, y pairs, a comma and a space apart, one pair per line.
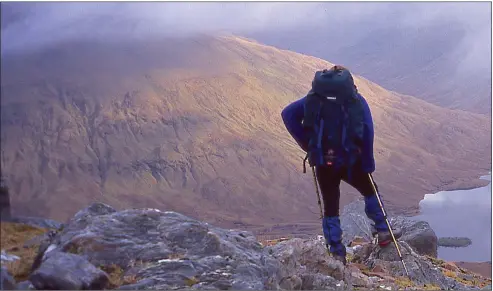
29, 26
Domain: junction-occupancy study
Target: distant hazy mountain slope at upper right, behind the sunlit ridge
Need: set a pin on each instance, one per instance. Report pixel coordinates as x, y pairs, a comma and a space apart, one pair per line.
430, 62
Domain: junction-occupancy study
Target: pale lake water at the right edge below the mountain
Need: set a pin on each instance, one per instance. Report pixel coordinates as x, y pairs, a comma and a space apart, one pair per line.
461, 213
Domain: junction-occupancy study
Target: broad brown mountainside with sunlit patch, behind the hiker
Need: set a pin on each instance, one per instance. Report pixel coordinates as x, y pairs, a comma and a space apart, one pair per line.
193, 125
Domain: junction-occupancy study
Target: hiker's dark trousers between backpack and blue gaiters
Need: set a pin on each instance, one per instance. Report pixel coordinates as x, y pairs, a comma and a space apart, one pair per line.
329, 180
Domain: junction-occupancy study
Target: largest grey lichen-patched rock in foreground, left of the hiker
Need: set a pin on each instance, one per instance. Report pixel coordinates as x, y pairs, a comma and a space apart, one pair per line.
175, 250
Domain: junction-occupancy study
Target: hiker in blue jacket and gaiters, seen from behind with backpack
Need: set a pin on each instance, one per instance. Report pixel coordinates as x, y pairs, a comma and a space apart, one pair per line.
333, 124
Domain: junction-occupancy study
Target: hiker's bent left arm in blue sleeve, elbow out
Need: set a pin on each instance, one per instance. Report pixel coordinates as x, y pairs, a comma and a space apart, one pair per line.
292, 117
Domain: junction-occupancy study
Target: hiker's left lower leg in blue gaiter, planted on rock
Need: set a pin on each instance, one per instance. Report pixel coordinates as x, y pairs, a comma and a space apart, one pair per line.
333, 237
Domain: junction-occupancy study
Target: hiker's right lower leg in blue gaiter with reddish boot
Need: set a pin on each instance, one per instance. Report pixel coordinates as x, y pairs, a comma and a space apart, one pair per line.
375, 213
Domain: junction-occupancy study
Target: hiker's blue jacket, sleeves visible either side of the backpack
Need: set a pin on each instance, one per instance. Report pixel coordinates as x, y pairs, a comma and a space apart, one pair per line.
292, 116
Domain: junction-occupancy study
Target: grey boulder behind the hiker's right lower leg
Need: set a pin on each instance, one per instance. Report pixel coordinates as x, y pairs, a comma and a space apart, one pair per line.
417, 234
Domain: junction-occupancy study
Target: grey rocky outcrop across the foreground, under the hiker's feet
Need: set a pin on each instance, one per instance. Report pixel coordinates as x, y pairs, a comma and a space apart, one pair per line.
150, 249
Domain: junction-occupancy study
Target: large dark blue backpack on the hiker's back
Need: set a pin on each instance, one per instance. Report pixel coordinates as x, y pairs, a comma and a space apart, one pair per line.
333, 119
